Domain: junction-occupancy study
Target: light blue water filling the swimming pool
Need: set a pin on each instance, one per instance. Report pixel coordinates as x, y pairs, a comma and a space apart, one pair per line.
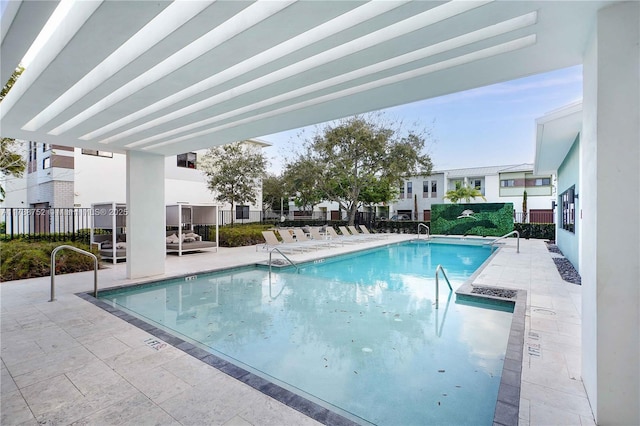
359, 333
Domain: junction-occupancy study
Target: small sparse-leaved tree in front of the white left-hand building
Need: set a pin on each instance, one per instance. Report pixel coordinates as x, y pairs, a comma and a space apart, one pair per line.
234, 172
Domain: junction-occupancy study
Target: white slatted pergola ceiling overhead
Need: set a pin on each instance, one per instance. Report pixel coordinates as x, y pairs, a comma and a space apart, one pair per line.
267, 66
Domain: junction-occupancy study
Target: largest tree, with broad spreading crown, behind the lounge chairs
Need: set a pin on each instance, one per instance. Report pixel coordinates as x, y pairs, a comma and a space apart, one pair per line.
364, 159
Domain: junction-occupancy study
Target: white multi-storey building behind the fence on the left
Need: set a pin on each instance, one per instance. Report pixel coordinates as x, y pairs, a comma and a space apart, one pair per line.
63, 177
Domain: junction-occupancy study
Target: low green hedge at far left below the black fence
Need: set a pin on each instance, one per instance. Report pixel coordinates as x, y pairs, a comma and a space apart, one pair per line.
21, 259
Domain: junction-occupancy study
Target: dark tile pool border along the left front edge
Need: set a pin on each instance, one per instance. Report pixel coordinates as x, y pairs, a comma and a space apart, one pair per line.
285, 396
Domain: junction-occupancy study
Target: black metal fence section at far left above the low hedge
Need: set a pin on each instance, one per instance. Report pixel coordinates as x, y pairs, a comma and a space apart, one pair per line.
51, 224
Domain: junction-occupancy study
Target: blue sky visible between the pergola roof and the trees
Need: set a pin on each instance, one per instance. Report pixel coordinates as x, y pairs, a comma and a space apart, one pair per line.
488, 126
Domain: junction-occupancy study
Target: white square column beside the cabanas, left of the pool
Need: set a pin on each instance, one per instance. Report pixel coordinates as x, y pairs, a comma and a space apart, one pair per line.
146, 249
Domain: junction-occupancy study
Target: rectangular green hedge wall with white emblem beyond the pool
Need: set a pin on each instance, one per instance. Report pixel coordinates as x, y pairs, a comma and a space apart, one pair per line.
488, 219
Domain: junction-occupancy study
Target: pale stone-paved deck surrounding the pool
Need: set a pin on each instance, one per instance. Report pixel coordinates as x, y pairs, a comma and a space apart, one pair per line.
70, 362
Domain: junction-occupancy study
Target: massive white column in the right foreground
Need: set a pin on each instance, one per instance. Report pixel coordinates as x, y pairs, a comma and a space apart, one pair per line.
609, 199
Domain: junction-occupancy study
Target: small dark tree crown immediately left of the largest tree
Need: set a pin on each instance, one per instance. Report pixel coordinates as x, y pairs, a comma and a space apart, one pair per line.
301, 178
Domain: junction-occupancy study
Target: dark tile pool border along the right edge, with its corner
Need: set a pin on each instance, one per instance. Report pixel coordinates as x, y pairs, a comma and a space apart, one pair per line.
508, 404
